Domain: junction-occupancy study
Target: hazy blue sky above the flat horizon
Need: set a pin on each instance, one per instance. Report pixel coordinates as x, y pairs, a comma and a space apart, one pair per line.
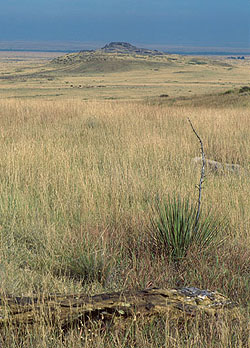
206, 23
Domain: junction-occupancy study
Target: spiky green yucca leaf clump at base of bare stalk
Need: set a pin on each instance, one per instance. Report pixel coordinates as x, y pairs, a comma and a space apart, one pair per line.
175, 228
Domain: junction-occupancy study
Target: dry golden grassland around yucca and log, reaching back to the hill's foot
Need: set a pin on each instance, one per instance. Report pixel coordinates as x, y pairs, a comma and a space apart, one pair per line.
78, 180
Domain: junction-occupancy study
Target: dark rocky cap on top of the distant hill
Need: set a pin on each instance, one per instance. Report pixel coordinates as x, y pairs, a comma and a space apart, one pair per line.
127, 48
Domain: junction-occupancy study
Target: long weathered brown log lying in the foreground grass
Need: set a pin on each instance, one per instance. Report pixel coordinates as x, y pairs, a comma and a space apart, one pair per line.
68, 310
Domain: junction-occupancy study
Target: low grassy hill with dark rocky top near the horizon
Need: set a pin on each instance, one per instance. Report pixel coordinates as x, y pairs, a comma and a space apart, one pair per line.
121, 57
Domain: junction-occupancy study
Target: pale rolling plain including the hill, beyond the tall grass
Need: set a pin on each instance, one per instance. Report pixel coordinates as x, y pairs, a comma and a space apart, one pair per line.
121, 71
